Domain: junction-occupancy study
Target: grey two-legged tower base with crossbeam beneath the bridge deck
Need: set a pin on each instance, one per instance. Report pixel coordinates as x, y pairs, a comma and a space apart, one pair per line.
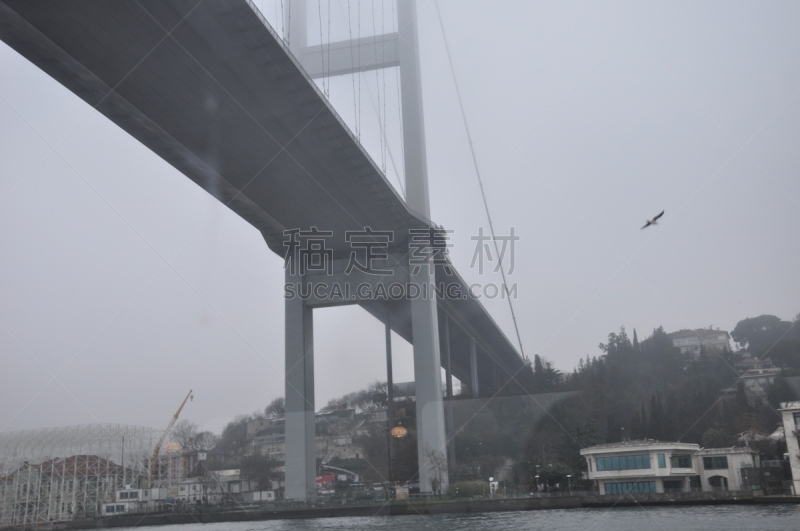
300, 406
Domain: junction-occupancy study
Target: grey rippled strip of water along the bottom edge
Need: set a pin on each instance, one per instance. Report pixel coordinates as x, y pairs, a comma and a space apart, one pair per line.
709, 518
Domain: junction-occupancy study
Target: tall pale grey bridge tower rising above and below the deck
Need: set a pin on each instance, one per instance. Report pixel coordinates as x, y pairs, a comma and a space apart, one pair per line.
398, 49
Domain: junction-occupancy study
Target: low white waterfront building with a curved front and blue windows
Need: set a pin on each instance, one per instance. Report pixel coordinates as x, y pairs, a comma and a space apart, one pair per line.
649, 467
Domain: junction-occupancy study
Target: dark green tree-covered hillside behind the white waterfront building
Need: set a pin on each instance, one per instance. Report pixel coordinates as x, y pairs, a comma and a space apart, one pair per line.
632, 389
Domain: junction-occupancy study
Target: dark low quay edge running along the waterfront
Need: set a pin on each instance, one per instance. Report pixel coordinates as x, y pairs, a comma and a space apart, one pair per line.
423, 507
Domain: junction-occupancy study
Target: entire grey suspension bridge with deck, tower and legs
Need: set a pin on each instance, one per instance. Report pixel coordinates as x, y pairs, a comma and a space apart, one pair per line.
231, 102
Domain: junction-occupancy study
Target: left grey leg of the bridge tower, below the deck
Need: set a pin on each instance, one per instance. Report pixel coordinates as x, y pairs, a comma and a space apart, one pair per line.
300, 431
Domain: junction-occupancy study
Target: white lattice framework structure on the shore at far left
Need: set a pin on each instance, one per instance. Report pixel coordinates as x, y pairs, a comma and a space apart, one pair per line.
58, 474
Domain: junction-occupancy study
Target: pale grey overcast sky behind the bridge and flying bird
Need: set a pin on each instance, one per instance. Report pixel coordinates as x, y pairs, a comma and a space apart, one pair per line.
587, 119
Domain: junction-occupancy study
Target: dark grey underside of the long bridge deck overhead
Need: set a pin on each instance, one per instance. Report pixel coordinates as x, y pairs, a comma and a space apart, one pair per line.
210, 88
